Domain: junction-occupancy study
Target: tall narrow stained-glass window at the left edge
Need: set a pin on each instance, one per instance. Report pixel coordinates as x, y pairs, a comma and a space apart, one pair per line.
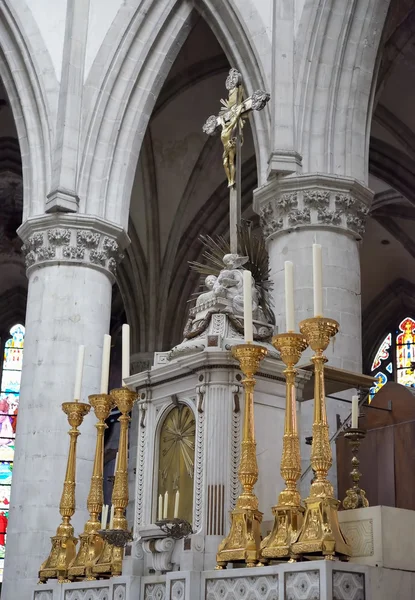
9, 402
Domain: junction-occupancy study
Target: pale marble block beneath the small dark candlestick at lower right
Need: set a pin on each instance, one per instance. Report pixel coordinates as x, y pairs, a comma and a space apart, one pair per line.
381, 536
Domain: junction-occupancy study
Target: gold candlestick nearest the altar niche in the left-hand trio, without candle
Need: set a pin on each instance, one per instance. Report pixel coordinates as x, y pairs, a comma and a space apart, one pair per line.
110, 561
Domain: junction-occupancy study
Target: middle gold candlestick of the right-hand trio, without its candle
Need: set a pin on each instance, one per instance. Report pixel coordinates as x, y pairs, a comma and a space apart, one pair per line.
288, 513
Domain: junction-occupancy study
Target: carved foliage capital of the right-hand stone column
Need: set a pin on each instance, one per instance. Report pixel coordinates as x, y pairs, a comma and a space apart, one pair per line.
313, 200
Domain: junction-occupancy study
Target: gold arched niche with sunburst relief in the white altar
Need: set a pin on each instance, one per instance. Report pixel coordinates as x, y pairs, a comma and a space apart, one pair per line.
176, 464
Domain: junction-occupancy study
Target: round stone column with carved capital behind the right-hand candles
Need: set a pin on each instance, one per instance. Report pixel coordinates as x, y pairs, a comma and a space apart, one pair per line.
297, 211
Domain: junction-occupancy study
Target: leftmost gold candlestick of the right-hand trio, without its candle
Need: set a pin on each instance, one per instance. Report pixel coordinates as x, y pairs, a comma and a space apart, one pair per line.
242, 543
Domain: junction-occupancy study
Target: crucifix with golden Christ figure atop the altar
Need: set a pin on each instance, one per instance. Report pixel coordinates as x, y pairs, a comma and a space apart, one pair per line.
234, 112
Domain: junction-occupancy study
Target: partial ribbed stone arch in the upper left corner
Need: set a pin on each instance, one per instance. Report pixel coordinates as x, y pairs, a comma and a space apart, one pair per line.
22, 58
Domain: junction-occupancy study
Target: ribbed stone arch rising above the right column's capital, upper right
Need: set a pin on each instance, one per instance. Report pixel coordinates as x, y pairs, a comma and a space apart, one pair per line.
334, 97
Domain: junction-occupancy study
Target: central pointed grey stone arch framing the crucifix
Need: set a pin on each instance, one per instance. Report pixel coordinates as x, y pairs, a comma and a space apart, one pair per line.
146, 41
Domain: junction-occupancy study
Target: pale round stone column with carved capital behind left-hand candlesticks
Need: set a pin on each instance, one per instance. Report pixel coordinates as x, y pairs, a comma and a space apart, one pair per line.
71, 260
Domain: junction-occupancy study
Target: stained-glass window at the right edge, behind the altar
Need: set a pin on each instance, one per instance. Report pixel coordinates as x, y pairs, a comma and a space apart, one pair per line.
395, 358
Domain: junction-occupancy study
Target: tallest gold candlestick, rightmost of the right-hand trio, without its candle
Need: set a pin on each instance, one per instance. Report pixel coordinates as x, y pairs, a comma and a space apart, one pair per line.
320, 533
